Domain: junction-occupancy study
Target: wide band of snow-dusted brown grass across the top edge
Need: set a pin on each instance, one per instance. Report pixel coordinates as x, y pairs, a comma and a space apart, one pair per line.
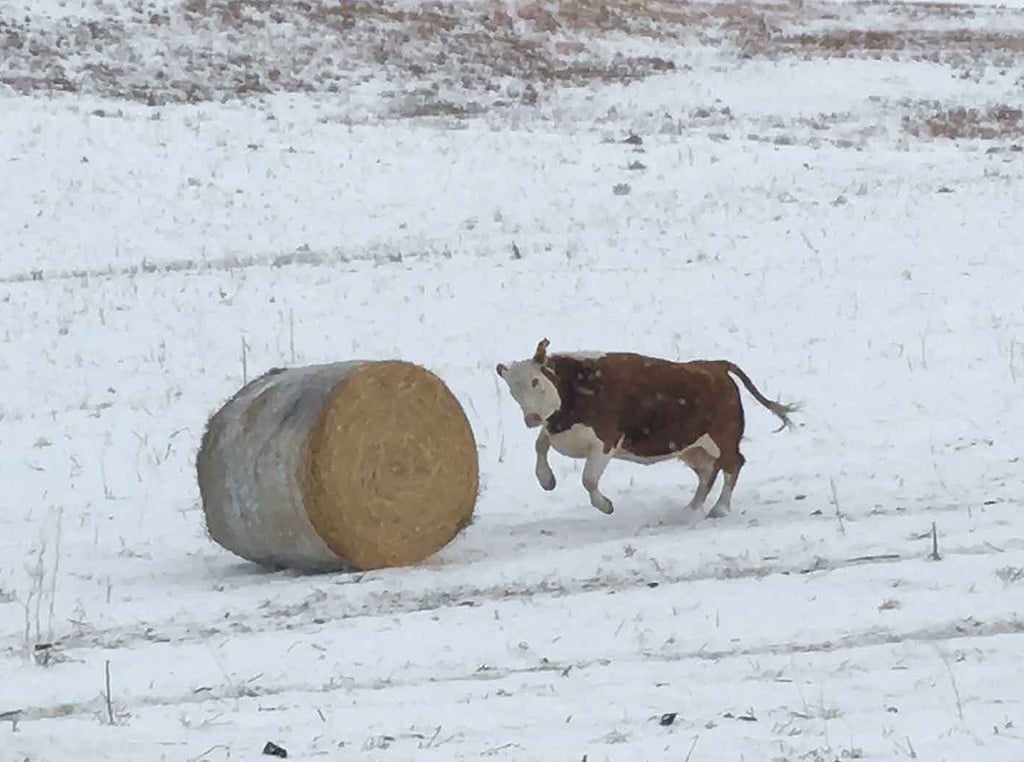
224, 50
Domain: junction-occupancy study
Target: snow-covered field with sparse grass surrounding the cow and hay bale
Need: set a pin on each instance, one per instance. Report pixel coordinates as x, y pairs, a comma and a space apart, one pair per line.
831, 195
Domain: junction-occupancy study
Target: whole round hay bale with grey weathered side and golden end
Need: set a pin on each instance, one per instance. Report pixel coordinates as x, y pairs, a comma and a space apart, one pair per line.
352, 465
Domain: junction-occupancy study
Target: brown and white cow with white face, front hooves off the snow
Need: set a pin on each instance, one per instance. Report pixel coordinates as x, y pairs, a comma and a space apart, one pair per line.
630, 407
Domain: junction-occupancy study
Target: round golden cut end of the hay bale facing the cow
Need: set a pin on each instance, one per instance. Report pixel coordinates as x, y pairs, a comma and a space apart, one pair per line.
392, 473
